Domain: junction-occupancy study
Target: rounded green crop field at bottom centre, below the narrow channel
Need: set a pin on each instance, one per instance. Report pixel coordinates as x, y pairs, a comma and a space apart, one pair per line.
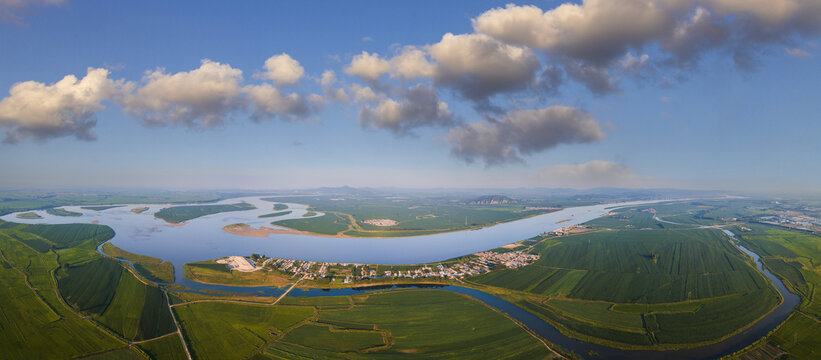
431, 324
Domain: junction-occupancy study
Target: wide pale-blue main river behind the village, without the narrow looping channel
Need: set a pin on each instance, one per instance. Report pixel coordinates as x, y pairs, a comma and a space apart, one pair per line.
203, 238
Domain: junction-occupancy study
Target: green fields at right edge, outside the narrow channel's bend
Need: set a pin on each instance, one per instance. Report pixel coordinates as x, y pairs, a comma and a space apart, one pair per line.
794, 257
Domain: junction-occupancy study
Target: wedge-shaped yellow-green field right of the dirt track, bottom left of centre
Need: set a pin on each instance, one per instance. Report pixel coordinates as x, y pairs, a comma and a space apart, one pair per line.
234, 331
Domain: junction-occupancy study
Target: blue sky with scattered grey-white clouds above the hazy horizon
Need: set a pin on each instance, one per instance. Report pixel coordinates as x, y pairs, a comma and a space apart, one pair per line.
687, 117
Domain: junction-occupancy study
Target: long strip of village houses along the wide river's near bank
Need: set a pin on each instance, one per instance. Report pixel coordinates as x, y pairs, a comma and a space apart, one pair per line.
478, 263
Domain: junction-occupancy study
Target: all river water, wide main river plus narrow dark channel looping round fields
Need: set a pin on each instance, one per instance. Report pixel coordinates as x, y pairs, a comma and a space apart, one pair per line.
203, 239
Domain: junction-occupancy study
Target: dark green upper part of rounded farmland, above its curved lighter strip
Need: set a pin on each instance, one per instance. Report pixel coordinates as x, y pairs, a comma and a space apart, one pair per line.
619, 267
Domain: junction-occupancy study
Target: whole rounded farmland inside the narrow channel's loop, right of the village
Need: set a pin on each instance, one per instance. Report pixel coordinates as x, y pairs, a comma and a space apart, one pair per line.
640, 288
